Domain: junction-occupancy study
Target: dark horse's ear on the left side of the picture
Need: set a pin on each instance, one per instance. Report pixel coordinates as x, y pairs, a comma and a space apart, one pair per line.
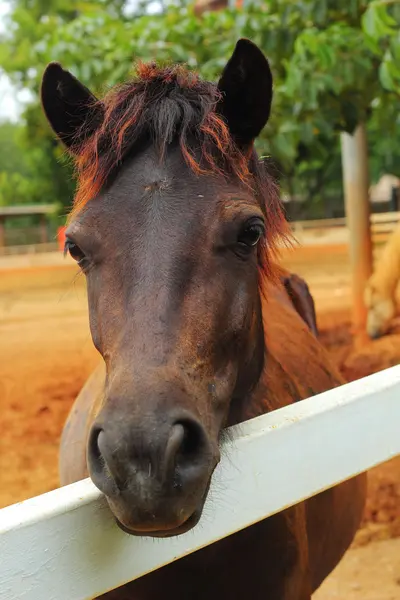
71, 109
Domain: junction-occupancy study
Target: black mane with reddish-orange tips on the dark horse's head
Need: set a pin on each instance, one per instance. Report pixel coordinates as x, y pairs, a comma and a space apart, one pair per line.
162, 105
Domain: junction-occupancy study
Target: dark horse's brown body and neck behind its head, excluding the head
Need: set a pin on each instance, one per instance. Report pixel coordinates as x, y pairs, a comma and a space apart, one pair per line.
289, 554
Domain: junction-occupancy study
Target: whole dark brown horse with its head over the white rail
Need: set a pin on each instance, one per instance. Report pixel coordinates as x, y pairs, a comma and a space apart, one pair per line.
175, 225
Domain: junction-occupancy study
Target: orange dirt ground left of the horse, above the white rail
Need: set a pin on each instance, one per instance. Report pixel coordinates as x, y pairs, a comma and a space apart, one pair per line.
46, 354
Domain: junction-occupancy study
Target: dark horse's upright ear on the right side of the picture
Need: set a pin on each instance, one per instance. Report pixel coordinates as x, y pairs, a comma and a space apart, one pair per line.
246, 88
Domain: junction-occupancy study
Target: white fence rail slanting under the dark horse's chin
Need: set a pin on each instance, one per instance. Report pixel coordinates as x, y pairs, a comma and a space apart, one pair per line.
64, 545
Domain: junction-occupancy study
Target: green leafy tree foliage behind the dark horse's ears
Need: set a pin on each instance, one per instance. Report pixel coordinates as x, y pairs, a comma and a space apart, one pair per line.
335, 64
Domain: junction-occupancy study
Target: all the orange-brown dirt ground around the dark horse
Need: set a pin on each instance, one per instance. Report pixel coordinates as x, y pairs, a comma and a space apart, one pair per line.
46, 354
